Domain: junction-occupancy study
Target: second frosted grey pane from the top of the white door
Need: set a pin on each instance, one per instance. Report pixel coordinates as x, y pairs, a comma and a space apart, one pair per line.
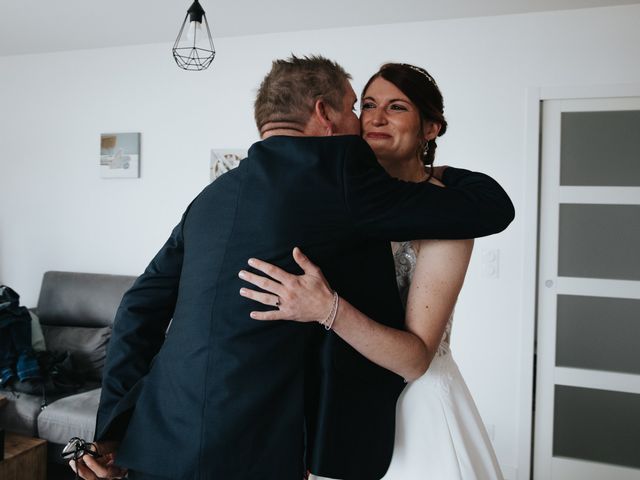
599, 241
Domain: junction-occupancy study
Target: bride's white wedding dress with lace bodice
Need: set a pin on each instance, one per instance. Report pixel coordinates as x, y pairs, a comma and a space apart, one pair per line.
439, 432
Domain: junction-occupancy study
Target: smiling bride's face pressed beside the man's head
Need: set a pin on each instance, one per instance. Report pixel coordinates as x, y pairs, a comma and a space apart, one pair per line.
390, 122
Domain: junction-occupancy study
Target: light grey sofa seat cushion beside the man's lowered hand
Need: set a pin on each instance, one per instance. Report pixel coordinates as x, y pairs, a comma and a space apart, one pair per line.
73, 416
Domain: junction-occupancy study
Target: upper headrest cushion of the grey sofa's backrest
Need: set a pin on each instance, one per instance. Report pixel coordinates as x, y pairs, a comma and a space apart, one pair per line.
81, 299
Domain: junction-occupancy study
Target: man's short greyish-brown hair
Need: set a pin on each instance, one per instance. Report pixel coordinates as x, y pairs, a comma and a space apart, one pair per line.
289, 91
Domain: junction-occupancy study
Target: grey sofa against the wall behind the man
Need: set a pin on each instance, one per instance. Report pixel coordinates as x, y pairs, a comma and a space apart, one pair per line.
76, 311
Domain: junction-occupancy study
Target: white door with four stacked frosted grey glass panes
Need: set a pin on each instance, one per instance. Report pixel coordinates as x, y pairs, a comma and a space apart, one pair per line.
587, 404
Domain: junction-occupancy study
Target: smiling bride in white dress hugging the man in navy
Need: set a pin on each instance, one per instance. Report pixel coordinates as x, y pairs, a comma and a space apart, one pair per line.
439, 432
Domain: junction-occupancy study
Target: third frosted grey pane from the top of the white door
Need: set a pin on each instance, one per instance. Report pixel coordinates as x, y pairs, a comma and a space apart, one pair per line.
598, 333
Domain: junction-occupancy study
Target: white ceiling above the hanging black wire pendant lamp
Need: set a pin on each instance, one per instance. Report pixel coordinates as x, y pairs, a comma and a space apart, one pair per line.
38, 26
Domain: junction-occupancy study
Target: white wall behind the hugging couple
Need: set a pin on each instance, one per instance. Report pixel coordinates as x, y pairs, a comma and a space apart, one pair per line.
55, 213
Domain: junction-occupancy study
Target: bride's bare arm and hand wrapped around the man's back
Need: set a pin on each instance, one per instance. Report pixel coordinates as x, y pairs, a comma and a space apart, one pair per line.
308, 298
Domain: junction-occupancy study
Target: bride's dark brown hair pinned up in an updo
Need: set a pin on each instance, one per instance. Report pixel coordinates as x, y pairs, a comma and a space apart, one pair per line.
422, 90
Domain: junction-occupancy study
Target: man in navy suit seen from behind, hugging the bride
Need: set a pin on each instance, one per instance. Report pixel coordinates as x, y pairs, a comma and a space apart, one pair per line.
222, 396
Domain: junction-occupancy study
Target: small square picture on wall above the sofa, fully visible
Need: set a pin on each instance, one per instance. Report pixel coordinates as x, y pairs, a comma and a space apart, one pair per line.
120, 155
